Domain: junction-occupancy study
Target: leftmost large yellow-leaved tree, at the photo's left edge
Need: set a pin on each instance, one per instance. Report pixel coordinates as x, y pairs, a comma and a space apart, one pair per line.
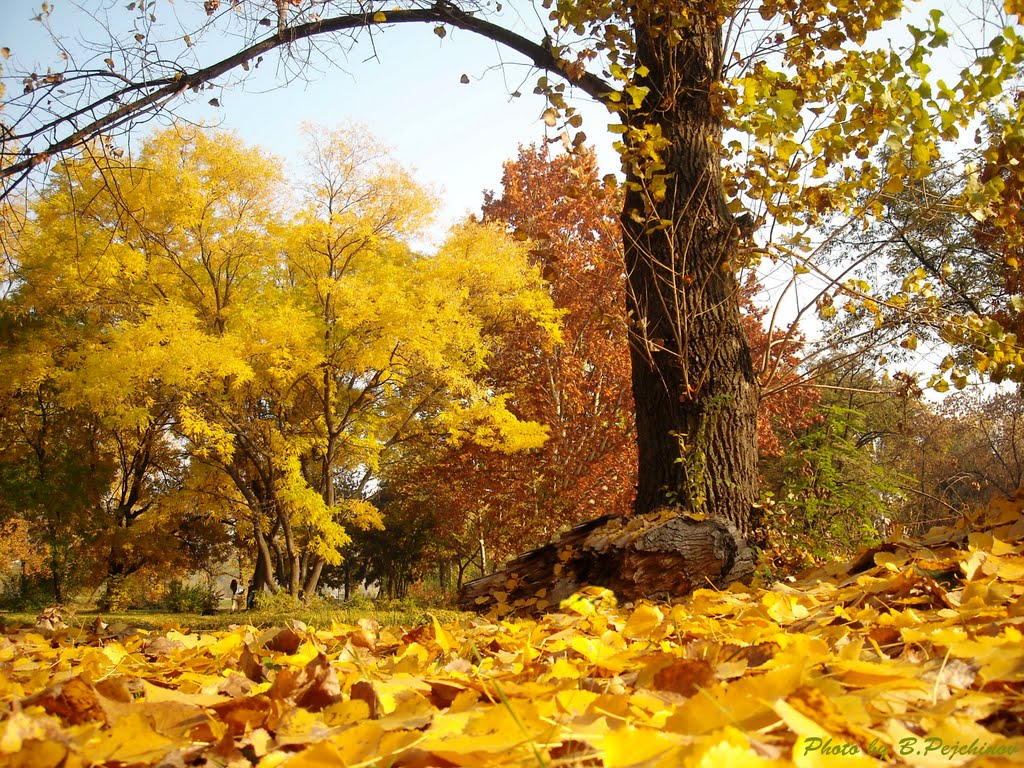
119, 284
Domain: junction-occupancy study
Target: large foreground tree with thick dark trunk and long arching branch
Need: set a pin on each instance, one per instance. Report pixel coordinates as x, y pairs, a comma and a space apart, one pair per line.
813, 98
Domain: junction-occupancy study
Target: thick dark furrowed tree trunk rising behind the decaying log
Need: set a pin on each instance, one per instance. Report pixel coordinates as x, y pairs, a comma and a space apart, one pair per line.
694, 381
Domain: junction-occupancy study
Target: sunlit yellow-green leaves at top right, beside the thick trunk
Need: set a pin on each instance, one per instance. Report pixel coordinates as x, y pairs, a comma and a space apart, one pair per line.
827, 114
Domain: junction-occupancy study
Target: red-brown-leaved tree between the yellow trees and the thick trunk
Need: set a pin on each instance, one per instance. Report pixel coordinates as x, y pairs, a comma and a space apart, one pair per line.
490, 503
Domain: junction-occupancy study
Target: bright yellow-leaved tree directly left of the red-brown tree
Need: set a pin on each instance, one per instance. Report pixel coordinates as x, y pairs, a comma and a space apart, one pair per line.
402, 339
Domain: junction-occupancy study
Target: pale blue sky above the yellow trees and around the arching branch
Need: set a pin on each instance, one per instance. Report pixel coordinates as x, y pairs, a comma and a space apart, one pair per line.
455, 136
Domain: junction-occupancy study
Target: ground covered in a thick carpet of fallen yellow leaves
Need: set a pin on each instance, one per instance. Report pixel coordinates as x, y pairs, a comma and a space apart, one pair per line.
913, 655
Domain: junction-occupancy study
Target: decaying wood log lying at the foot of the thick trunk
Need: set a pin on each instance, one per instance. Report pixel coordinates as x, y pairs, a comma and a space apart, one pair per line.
659, 556
